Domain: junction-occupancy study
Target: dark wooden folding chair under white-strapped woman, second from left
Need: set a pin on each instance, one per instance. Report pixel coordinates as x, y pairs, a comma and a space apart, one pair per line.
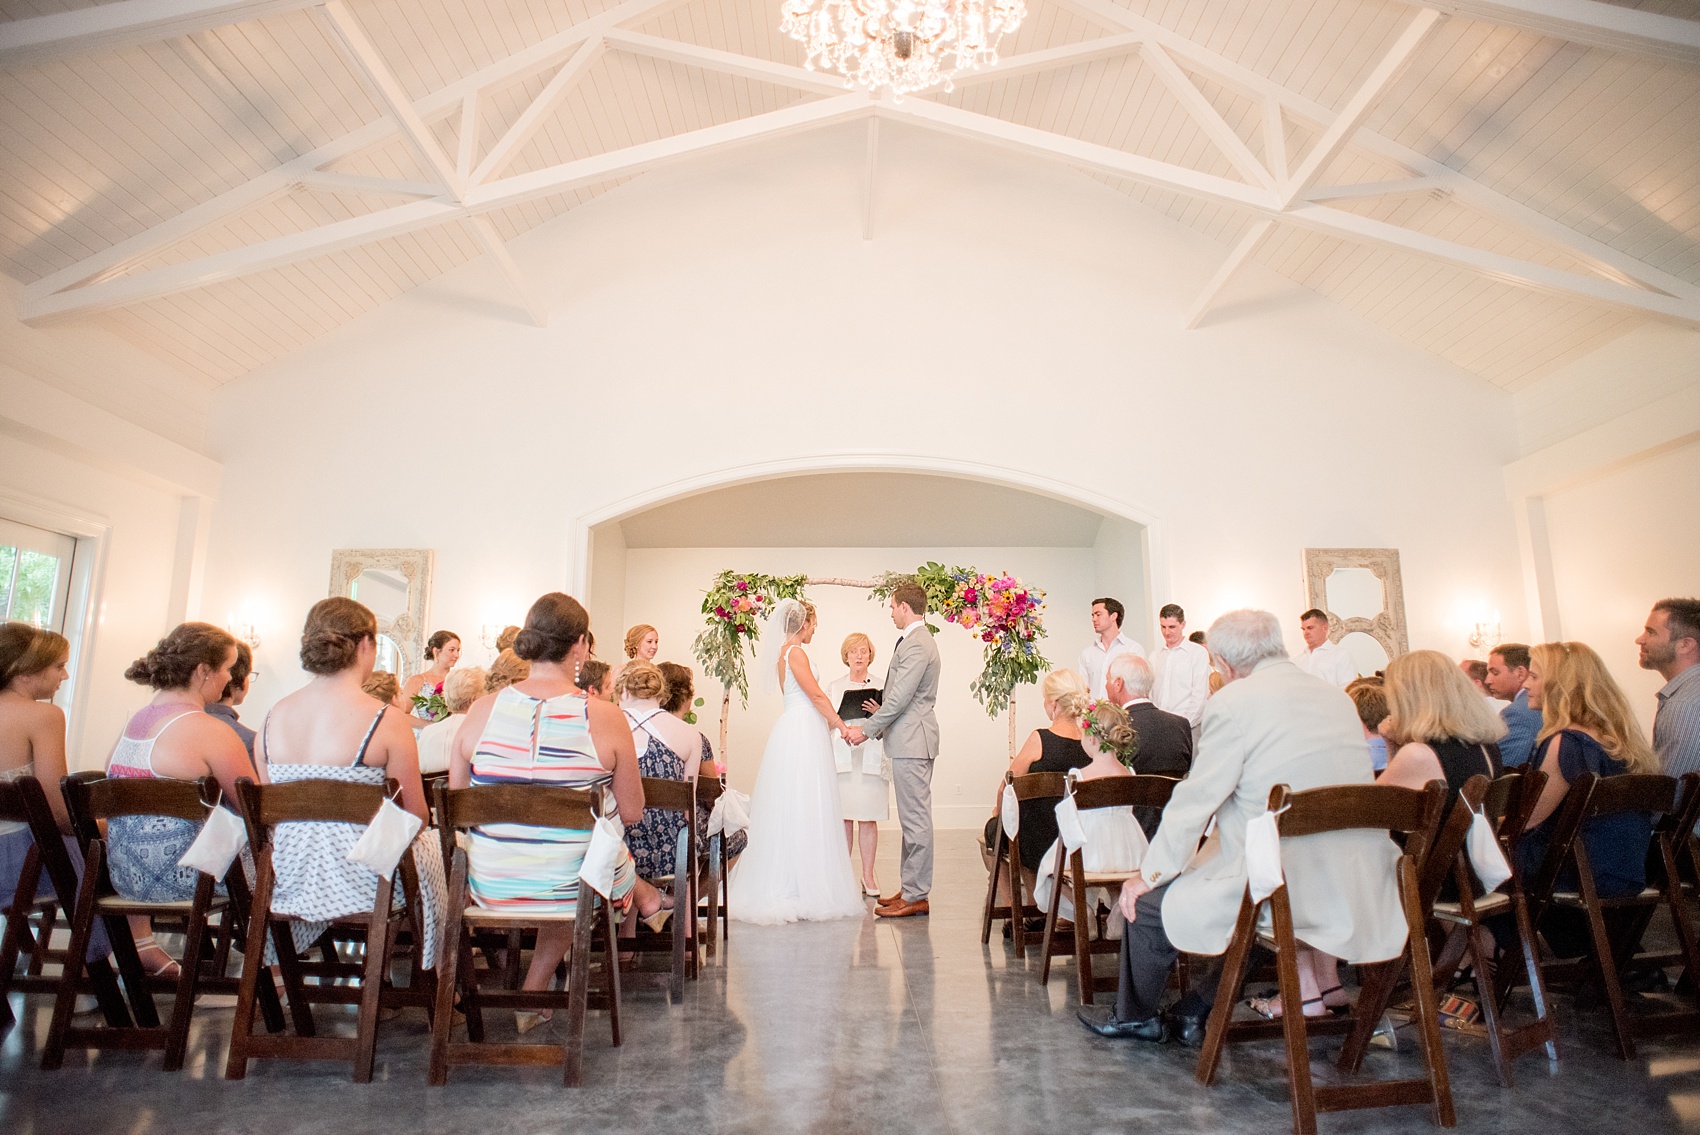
103, 799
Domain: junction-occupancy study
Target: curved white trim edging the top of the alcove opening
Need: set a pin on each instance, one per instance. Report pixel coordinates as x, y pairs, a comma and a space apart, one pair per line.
1157, 556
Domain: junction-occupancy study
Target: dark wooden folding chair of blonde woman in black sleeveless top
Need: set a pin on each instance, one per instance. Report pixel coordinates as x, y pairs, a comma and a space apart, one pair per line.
1507, 803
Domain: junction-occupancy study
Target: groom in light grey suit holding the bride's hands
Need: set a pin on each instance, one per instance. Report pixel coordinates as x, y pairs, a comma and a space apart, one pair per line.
910, 731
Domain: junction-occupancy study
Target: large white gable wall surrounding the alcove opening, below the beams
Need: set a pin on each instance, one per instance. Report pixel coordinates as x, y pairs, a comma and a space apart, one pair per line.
720, 315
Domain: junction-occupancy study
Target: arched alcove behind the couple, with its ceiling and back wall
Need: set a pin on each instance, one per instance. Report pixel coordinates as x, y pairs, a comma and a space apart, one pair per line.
649, 560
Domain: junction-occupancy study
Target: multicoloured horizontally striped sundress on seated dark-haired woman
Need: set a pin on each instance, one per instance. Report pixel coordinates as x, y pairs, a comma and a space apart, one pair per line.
518, 867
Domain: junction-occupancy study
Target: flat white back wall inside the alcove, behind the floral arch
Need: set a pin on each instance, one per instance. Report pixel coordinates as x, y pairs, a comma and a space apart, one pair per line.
664, 587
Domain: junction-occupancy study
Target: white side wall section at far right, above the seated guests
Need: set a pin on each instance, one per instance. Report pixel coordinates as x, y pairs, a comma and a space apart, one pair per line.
1619, 545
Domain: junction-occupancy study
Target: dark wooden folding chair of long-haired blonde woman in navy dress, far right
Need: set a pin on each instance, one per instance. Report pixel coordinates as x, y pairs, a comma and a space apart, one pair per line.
1616, 925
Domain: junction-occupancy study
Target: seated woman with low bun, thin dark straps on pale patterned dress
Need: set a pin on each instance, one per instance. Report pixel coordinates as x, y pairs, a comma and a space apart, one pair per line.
334, 730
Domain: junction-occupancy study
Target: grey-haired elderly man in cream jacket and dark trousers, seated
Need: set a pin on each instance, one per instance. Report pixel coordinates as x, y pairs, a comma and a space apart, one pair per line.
1271, 725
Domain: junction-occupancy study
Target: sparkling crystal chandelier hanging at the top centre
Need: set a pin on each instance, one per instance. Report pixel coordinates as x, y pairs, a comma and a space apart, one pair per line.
904, 45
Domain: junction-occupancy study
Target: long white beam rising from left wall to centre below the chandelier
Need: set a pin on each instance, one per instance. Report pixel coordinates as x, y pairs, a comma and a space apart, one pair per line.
421, 215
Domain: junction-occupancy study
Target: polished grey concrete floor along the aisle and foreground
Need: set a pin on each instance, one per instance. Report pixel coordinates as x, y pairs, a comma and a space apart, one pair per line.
842, 1027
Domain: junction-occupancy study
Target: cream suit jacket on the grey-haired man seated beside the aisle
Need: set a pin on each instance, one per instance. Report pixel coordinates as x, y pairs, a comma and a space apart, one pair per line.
1276, 726
